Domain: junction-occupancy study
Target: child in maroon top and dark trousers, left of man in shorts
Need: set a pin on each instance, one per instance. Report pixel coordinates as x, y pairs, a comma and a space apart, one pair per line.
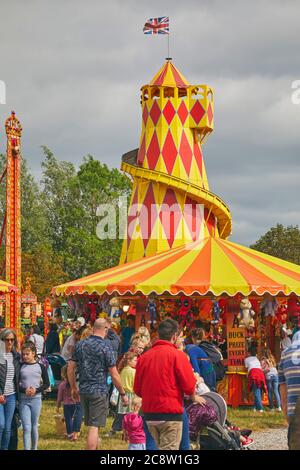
72, 411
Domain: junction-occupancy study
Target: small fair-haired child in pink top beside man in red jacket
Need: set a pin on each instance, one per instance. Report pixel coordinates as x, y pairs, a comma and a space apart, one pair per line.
133, 427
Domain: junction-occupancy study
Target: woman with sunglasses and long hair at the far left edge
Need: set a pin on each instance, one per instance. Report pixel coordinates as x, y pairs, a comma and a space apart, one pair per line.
9, 383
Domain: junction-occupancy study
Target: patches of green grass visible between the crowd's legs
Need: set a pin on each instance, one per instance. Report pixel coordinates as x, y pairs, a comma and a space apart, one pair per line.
49, 440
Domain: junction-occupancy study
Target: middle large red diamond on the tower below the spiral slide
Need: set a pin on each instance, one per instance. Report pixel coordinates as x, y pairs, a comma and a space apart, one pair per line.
172, 218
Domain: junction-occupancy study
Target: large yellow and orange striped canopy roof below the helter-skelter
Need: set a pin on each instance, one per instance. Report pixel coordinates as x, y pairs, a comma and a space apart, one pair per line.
213, 266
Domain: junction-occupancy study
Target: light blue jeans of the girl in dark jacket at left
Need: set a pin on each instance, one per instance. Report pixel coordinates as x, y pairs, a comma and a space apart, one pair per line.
30, 410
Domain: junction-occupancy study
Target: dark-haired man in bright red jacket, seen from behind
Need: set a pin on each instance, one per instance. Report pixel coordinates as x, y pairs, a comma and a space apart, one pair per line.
163, 375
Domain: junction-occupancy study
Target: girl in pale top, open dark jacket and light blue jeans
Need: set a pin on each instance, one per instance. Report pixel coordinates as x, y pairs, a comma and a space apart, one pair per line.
33, 381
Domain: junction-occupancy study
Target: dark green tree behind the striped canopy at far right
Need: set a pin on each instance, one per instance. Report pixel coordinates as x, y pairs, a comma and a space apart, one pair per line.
282, 242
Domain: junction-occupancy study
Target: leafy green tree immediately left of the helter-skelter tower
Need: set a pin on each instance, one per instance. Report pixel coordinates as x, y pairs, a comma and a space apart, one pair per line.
71, 200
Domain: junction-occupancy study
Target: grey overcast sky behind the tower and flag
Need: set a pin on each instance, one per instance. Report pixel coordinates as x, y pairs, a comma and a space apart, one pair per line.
73, 70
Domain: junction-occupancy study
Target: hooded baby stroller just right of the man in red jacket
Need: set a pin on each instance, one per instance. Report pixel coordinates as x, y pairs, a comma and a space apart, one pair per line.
215, 432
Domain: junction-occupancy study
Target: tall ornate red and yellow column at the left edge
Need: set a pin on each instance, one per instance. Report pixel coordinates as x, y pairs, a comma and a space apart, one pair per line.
13, 222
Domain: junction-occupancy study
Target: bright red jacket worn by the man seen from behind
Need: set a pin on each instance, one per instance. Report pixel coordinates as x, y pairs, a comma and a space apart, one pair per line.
163, 375
